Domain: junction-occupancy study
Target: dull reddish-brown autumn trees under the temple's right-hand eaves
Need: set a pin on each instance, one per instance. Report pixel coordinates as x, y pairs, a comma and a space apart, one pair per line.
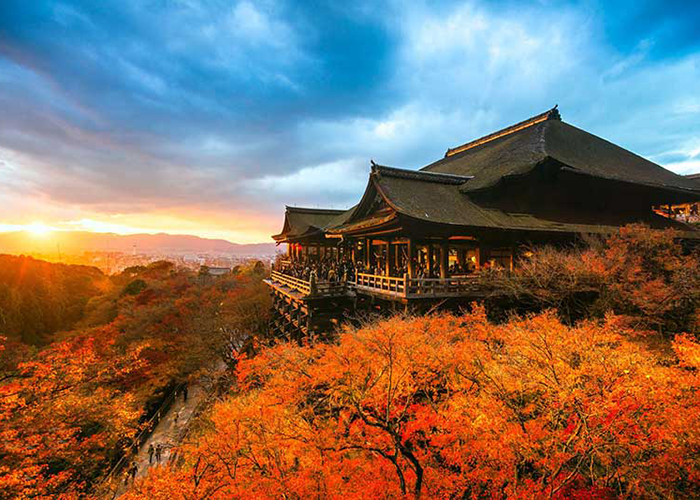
642, 274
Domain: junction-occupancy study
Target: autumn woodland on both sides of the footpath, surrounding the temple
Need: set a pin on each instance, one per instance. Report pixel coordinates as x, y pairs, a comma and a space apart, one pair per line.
591, 395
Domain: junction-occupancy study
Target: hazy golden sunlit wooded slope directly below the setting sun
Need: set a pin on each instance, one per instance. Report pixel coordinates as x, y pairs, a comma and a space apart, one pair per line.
38, 298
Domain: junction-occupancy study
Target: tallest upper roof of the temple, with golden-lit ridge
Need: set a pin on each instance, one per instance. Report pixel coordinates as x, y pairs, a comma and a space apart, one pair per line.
519, 149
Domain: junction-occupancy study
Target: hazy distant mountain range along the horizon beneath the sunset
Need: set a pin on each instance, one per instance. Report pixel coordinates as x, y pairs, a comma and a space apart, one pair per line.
76, 242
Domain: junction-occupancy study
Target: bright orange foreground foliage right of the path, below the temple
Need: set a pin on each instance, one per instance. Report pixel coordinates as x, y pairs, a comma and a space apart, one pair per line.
451, 407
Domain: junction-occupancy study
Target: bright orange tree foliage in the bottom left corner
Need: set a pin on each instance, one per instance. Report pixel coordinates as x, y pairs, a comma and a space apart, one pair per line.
61, 413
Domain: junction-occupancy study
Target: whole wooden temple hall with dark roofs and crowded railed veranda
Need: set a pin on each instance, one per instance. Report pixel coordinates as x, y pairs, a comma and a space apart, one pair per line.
418, 237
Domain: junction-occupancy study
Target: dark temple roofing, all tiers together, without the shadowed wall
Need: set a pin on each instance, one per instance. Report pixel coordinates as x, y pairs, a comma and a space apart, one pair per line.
443, 192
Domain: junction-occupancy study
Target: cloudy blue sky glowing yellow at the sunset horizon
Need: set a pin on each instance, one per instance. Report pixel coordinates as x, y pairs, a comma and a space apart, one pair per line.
207, 117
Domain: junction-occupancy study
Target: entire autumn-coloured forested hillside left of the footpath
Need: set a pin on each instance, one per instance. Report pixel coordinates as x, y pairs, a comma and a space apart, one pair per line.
69, 409
